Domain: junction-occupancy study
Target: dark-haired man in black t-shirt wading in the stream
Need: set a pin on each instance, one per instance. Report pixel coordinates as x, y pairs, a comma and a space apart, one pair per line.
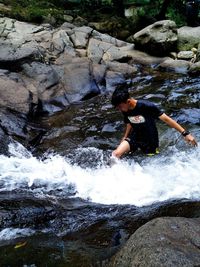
141, 131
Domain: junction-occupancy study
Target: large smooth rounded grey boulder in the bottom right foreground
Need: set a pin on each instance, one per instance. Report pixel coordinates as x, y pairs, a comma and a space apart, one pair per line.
162, 242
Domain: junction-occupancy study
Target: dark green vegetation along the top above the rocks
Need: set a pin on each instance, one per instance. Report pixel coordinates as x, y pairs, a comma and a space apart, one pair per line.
147, 11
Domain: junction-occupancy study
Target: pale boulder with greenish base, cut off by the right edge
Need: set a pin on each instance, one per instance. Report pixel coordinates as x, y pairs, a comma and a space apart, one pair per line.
188, 37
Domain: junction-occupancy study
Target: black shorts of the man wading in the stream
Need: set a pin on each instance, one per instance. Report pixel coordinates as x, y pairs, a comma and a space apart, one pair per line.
149, 149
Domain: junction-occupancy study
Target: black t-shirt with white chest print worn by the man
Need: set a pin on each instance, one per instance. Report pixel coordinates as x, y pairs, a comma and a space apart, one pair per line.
142, 118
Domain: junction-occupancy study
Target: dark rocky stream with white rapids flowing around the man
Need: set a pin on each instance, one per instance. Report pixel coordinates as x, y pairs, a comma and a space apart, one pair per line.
68, 198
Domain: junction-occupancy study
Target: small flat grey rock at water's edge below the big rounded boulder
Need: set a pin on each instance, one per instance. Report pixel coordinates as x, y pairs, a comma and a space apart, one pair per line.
179, 66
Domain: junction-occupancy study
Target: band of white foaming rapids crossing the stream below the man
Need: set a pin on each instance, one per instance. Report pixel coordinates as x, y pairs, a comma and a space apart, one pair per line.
176, 175
